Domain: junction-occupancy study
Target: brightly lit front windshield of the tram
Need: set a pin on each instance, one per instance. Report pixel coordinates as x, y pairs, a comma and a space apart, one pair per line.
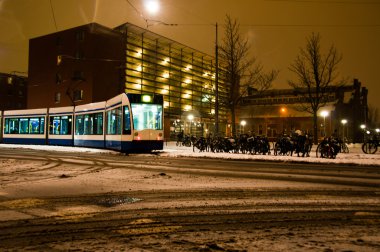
147, 116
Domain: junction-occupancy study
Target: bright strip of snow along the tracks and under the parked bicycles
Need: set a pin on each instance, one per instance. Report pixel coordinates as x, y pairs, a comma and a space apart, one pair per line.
355, 157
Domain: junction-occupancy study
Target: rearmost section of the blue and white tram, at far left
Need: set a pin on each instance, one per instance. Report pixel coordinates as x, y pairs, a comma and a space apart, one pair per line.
24, 126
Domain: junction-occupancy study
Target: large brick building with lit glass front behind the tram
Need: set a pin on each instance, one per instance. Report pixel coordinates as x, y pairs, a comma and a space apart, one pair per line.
92, 63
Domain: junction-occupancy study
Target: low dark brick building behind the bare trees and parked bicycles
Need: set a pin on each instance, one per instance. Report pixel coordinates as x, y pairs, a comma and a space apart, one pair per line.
274, 112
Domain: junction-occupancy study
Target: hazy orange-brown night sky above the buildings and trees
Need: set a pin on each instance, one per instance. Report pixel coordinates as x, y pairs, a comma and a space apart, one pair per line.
276, 28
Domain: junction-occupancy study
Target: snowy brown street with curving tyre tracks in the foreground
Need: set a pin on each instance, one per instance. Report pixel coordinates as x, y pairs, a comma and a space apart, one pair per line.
57, 201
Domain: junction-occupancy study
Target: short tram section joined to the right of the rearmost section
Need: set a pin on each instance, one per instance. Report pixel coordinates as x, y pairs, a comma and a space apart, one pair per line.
61, 126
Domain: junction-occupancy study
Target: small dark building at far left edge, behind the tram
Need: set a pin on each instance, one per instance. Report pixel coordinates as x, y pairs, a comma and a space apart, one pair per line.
13, 91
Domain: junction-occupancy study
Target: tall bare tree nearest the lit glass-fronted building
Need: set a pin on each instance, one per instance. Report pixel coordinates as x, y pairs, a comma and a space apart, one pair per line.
241, 71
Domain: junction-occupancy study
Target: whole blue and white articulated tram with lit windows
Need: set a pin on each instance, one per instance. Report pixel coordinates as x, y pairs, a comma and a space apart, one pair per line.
126, 123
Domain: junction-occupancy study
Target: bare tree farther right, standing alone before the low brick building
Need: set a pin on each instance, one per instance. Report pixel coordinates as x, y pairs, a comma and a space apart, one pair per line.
315, 73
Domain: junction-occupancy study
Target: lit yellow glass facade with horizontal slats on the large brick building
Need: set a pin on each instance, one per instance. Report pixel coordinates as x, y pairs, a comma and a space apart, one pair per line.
184, 76
